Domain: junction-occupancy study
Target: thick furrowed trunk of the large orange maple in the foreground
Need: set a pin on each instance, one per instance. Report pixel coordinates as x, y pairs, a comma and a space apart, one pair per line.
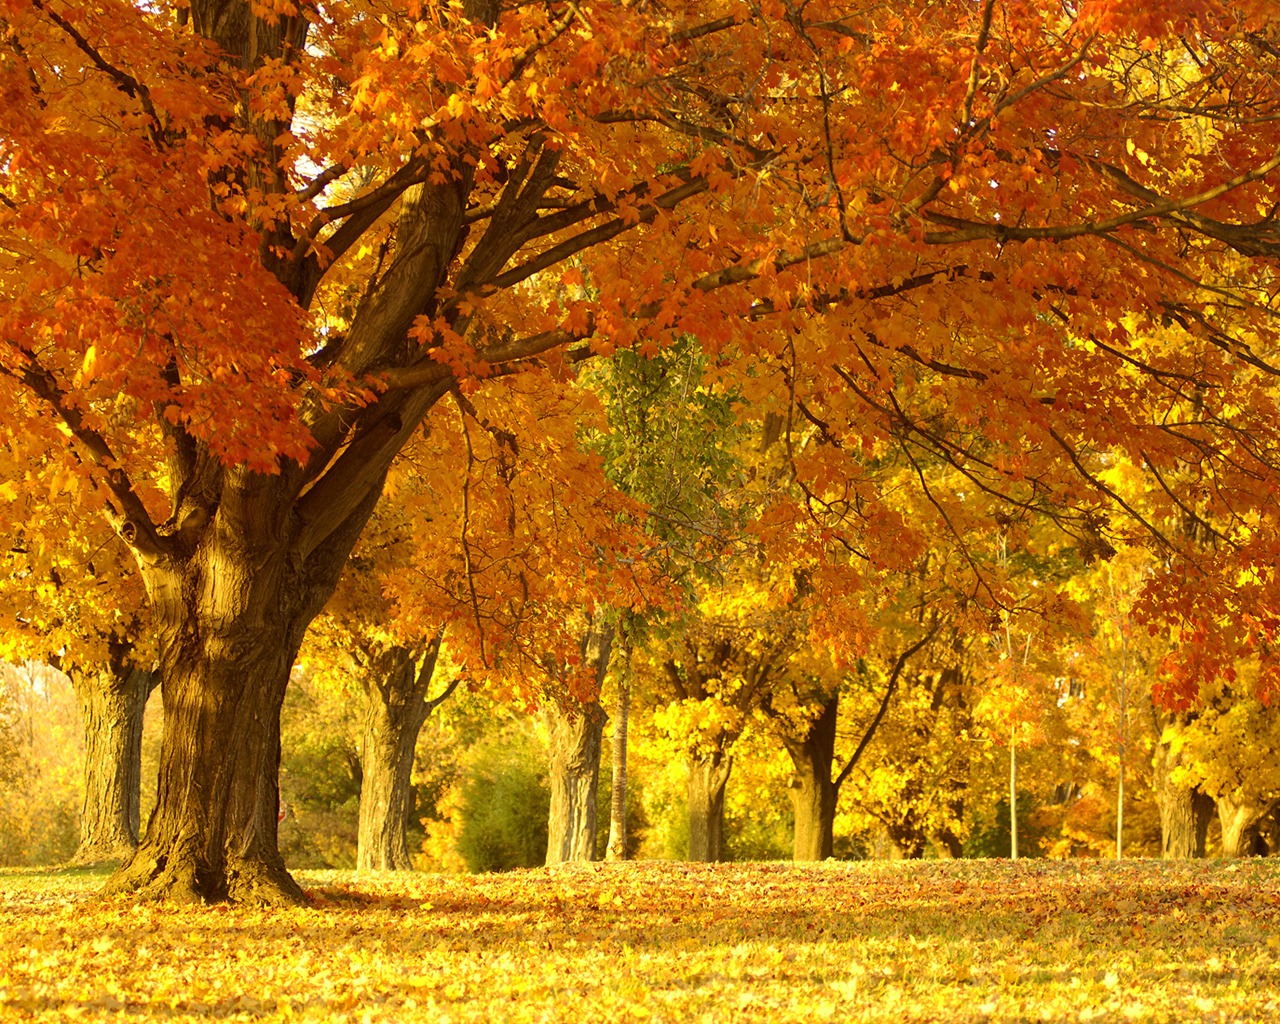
230, 620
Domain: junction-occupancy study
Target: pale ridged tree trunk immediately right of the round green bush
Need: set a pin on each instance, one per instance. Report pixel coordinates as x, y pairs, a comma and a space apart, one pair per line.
575, 761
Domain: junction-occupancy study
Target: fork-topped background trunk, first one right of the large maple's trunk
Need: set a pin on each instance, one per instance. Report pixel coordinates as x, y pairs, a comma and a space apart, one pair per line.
396, 707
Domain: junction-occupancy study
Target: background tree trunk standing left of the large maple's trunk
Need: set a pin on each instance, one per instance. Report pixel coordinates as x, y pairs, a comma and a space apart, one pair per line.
112, 702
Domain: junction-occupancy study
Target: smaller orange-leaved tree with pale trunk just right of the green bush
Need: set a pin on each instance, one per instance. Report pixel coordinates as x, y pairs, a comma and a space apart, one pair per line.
523, 583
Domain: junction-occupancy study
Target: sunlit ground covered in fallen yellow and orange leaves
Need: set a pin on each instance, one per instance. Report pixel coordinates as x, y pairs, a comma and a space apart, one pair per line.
949, 941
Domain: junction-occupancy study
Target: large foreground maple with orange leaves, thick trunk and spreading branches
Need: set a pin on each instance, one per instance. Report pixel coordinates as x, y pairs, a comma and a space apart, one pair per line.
246, 248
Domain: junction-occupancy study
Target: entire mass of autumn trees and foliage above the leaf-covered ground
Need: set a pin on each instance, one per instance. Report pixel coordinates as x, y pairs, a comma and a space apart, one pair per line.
879, 403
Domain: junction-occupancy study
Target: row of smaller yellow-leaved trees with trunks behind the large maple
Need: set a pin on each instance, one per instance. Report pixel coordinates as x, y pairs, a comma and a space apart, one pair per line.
742, 650
